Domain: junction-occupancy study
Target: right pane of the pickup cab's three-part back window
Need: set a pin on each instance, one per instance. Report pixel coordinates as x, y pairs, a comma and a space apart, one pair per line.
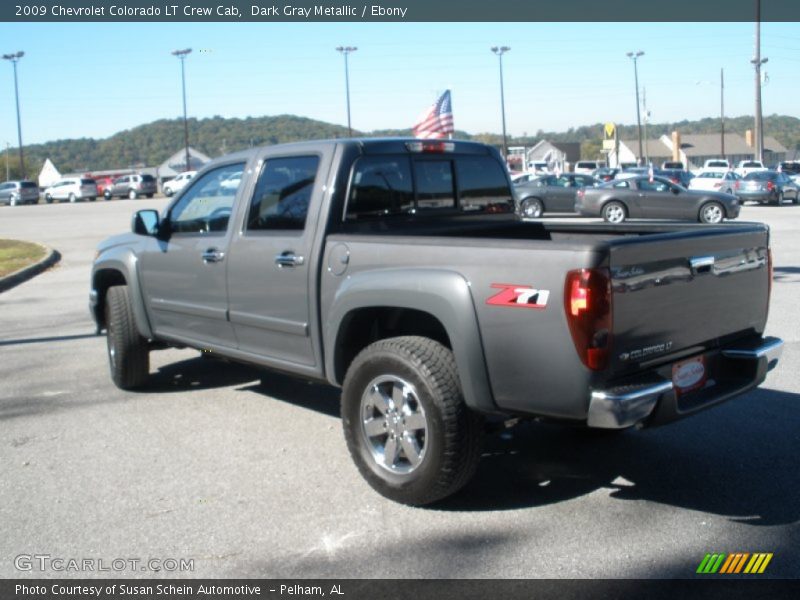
482, 185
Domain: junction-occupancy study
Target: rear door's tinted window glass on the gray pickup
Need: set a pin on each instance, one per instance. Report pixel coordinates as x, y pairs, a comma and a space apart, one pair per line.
283, 193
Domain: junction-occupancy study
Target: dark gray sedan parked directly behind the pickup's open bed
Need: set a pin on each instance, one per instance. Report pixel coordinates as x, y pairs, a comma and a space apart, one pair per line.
641, 198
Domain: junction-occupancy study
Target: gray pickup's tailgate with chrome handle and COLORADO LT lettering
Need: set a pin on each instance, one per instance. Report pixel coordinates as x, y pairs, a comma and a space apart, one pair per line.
674, 295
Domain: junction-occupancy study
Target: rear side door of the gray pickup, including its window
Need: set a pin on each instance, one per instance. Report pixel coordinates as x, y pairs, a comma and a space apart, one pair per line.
272, 270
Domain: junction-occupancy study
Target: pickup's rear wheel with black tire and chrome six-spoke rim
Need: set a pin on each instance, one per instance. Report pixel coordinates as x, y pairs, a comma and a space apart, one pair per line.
451, 440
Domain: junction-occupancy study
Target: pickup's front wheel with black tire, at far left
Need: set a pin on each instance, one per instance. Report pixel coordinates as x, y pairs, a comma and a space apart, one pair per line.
128, 354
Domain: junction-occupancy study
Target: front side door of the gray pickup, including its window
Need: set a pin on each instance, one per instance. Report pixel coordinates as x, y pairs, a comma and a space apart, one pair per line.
184, 276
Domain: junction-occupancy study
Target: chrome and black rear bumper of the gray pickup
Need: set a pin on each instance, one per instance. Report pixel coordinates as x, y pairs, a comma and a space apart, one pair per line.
655, 401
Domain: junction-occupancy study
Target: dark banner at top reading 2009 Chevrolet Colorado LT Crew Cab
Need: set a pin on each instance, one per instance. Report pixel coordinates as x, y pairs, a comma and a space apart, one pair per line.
397, 11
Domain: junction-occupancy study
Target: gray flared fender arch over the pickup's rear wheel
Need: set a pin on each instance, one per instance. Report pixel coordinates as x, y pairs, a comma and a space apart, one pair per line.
443, 294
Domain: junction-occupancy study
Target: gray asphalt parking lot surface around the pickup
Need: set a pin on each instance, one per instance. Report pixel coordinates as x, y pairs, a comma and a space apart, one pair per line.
246, 473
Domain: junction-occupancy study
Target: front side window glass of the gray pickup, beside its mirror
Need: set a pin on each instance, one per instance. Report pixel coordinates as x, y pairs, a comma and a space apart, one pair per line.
206, 206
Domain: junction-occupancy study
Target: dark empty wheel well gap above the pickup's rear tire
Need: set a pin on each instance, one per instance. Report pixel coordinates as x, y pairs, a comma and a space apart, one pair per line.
362, 327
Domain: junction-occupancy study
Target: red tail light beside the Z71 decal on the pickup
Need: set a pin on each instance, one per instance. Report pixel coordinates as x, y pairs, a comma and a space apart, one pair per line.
587, 302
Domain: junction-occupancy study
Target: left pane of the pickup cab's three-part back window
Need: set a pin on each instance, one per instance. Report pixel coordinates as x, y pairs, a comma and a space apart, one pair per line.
381, 185
